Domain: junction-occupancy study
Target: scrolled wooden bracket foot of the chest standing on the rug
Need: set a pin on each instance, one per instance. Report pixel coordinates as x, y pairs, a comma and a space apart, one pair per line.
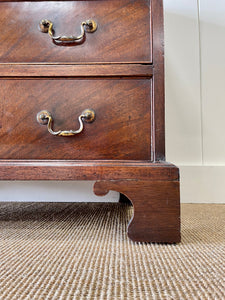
156, 208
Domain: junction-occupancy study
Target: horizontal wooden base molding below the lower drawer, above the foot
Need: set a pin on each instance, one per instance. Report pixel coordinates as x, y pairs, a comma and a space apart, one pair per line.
86, 170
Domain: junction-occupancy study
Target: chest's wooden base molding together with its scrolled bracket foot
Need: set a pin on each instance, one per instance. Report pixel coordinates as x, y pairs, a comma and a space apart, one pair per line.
152, 187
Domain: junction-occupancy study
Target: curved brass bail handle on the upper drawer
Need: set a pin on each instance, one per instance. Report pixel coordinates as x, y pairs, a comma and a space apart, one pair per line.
86, 26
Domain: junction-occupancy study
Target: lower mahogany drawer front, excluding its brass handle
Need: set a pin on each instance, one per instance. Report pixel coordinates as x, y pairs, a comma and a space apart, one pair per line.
121, 129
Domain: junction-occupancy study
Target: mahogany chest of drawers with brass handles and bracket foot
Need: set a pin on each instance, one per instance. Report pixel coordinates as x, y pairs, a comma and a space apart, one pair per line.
89, 106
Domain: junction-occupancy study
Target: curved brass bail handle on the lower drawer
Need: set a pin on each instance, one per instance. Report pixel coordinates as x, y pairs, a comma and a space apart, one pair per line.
45, 118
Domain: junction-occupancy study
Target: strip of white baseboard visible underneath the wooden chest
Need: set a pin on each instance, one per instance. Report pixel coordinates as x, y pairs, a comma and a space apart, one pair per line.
52, 191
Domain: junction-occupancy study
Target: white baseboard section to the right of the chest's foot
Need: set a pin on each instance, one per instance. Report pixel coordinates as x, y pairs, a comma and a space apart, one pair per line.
202, 184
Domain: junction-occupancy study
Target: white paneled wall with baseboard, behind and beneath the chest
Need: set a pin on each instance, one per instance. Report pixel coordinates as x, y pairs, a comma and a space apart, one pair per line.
195, 109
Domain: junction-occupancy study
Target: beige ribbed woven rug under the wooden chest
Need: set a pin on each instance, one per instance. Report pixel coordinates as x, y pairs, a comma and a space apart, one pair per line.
81, 251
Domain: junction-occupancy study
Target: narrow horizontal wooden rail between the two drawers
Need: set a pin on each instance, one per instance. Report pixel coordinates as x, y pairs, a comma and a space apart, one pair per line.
75, 70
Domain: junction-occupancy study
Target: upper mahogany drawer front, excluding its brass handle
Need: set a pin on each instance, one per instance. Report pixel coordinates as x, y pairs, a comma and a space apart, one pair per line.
123, 33
